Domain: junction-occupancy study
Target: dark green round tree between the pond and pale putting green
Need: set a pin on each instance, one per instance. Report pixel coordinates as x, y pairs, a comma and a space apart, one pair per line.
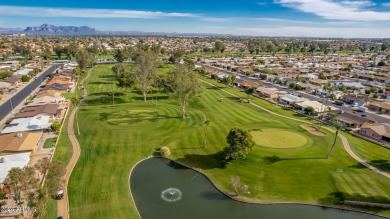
240, 143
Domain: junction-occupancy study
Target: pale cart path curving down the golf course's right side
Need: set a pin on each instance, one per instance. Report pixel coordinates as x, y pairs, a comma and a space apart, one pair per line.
344, 140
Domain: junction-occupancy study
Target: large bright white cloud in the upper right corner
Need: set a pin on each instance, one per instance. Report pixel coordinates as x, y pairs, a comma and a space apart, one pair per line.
338, 10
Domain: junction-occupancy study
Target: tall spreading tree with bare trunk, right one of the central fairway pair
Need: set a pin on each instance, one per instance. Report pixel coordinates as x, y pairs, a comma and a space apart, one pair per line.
184, 85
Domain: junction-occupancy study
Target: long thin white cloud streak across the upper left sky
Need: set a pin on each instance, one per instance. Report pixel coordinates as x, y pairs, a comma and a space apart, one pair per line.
87, 13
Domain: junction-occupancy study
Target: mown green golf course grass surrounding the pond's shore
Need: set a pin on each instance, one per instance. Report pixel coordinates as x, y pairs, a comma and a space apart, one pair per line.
99, 186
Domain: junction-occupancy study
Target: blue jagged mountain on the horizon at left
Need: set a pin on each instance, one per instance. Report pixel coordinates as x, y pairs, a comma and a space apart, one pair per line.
60, 30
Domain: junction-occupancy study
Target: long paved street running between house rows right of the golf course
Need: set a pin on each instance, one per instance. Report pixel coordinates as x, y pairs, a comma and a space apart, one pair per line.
345, 108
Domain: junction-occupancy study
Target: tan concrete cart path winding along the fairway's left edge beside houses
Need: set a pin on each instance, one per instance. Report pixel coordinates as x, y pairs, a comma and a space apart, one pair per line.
63, 204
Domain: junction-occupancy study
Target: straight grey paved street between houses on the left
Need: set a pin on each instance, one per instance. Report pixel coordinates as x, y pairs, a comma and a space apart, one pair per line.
9, 105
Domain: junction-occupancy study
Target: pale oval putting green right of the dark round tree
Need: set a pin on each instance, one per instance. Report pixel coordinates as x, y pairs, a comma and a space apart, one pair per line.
276, 138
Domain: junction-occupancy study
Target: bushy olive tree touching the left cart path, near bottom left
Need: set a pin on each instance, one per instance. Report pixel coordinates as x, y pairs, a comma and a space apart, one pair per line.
54, 176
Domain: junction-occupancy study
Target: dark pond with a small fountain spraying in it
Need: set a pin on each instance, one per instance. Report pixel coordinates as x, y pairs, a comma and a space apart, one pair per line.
163, 189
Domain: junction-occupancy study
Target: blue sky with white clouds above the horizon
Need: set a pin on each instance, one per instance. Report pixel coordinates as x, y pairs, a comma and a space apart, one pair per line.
319, 18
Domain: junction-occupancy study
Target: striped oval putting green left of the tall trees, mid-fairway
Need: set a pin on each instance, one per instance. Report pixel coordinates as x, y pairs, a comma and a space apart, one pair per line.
130, 117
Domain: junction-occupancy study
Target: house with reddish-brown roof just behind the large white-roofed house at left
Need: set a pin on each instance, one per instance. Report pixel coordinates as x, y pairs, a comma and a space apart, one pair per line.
50, 110
